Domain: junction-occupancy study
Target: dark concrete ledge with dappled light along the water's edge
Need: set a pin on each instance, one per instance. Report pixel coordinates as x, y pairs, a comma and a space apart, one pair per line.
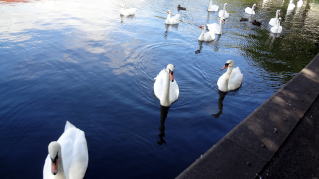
247, 148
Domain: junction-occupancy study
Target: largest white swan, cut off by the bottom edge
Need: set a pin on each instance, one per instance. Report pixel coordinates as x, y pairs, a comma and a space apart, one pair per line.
68, 156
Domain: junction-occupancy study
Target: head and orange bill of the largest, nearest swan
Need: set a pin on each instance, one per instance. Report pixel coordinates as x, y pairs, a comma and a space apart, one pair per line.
54, 149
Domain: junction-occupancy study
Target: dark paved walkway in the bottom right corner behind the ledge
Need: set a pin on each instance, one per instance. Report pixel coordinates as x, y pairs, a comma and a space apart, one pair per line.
299, 155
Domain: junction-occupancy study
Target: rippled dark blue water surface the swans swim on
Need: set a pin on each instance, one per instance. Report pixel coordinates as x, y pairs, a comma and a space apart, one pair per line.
75, 60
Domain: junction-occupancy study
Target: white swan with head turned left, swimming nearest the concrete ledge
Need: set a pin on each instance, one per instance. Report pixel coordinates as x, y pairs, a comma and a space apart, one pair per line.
231, 79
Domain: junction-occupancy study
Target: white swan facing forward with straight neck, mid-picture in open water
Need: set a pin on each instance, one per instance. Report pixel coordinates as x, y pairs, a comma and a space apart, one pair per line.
165, 87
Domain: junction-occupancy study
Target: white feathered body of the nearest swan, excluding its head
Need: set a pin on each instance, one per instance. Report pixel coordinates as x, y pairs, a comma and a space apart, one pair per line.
74, 151
